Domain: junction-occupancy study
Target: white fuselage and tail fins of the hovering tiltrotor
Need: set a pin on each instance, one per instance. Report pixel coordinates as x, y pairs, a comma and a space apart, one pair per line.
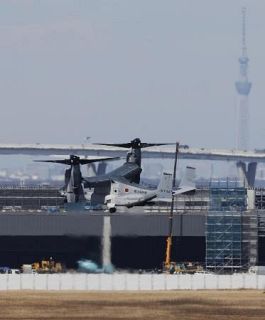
127, 194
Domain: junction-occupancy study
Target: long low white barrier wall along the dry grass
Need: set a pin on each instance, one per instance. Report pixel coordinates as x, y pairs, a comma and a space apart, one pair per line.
130, 282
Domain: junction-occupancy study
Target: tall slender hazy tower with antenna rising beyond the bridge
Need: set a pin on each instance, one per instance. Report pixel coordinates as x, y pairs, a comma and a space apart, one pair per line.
243, 87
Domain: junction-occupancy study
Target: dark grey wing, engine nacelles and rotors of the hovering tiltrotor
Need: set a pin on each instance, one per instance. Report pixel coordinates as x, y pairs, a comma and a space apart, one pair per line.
128, 173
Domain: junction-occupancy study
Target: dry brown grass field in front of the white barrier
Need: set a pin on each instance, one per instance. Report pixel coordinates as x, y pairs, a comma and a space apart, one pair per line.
181, 305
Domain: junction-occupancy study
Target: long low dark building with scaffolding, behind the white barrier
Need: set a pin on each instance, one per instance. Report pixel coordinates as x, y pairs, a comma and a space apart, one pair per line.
223, 229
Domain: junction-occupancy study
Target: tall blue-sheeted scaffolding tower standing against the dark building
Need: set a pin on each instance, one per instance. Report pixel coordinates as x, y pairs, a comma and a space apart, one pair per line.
231, 231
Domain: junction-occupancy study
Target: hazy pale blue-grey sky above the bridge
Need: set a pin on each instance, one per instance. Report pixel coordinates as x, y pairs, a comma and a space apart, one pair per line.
115, 70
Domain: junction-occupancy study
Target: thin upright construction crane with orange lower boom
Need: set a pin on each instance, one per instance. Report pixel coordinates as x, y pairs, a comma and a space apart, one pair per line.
168, 264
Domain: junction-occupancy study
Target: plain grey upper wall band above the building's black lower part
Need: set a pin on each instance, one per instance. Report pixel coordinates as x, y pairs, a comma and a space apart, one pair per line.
80, 224
